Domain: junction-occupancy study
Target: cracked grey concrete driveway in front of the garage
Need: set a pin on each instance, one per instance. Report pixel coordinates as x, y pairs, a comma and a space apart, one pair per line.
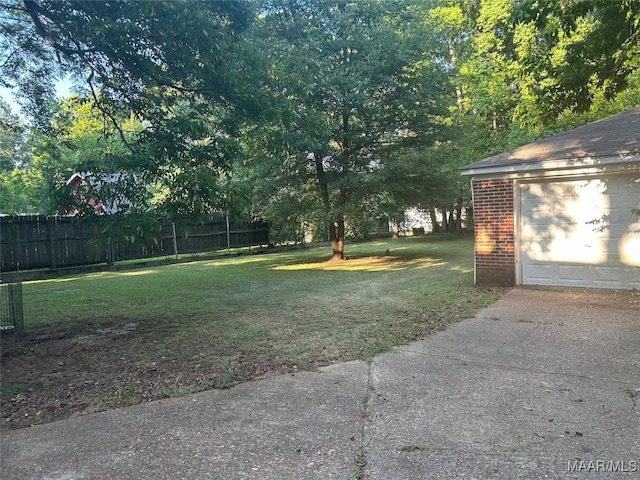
542, 384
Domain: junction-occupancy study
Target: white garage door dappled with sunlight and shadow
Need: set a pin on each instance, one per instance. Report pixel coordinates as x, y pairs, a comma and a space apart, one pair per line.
580, 233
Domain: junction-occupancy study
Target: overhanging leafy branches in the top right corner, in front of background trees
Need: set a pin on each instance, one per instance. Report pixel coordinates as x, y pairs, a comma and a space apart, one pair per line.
590, 46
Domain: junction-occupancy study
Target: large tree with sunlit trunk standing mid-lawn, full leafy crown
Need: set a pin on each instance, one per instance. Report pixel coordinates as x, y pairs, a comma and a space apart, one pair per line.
355, 80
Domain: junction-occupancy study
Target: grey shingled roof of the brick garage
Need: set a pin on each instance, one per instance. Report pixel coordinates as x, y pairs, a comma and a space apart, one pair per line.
614, 139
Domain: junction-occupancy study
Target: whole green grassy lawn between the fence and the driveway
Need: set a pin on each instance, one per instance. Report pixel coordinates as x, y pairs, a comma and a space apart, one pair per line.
123, 337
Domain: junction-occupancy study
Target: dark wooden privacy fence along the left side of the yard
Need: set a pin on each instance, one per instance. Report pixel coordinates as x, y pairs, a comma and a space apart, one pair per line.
29, 242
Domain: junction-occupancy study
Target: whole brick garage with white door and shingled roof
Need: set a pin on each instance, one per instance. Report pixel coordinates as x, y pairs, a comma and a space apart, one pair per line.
563, 210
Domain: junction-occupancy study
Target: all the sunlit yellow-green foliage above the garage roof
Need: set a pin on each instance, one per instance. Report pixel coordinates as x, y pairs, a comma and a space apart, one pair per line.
528, 69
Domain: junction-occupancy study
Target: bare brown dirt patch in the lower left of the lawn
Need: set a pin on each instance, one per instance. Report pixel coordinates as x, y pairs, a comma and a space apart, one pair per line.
48, 376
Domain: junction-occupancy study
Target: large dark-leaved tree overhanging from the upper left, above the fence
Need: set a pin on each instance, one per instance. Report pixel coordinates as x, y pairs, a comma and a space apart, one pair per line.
172, 64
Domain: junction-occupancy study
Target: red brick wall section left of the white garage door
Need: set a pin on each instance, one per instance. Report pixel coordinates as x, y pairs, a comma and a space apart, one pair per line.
493, 216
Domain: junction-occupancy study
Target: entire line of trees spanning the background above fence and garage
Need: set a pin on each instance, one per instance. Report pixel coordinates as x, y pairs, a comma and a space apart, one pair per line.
332, 115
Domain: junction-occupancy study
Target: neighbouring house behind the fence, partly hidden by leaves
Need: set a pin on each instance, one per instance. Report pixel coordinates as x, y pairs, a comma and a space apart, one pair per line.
87, 186
